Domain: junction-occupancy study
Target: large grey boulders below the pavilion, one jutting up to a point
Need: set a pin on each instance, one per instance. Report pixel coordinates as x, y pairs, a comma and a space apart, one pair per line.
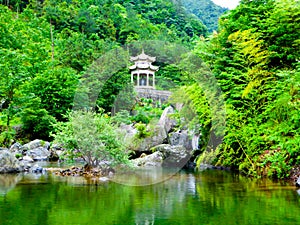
170, 148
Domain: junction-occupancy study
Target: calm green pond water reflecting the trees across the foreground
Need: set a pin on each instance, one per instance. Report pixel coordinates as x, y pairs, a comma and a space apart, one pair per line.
207, 197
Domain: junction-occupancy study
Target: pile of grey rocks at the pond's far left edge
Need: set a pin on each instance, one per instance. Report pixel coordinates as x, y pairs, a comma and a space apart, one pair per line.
19, 158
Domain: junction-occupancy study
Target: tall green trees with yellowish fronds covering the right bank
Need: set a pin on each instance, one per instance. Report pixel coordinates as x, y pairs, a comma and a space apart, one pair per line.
259, 77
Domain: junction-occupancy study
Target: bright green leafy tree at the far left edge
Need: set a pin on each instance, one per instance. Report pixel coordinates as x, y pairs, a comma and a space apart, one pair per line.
23, 51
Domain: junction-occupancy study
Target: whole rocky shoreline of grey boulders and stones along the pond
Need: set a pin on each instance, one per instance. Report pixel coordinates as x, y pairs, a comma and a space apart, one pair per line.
168, 147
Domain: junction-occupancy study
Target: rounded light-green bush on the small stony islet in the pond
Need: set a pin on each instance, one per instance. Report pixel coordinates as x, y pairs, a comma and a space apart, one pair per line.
92, 137
